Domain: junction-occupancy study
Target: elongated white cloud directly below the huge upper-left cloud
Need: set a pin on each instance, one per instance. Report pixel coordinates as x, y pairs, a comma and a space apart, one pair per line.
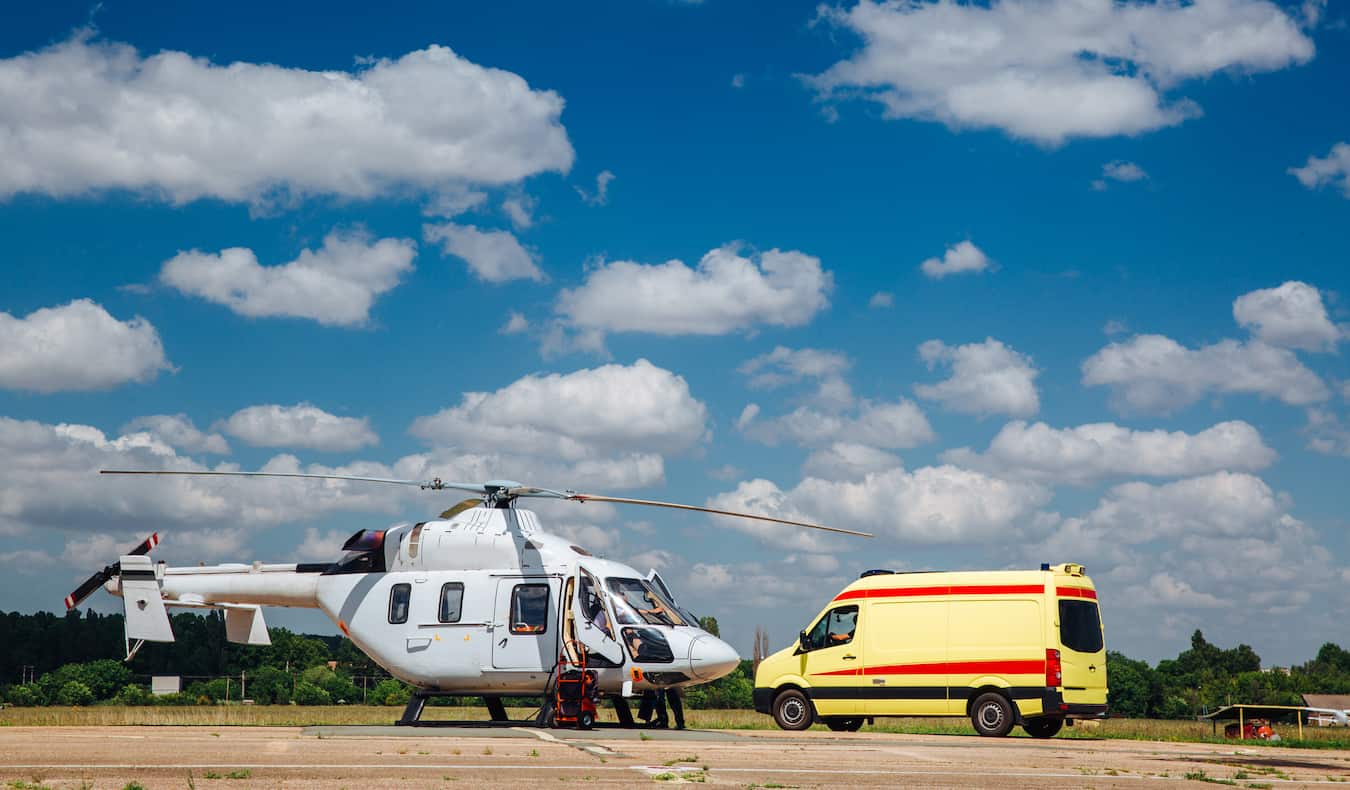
334, 286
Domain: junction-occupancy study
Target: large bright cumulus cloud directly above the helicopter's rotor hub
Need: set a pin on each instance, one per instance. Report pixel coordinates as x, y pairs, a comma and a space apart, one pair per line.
611, 418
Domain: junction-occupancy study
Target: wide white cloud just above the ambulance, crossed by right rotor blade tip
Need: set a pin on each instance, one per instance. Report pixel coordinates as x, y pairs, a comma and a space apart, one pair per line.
935, 504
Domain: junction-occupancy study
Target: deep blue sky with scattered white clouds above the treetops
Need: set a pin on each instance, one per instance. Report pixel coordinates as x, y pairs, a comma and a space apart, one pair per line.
1069, 286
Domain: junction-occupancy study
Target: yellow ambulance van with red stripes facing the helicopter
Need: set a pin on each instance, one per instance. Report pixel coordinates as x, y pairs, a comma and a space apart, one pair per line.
1001, 648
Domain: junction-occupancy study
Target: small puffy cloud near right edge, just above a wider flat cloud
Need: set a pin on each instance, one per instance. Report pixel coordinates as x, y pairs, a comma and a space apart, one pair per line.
1291, 315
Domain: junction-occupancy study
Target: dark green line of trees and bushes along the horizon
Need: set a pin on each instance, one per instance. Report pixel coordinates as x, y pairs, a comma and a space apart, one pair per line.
51, 660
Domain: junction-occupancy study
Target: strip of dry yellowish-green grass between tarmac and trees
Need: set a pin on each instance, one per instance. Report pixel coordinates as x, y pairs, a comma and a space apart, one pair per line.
337, 715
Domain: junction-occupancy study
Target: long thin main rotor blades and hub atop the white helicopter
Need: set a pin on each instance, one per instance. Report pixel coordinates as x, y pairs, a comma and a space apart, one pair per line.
502, 494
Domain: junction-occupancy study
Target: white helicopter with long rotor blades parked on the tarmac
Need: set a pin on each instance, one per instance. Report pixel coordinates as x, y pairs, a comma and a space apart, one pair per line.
481, 602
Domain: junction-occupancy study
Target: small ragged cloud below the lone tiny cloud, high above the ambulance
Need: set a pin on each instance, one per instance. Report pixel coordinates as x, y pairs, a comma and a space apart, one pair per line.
988, 379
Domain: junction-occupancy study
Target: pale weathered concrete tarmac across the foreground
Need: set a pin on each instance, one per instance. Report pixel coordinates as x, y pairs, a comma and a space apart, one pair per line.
495, 757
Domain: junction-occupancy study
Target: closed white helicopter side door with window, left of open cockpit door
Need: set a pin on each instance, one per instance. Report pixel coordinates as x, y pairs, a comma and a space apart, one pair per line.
526, 627
